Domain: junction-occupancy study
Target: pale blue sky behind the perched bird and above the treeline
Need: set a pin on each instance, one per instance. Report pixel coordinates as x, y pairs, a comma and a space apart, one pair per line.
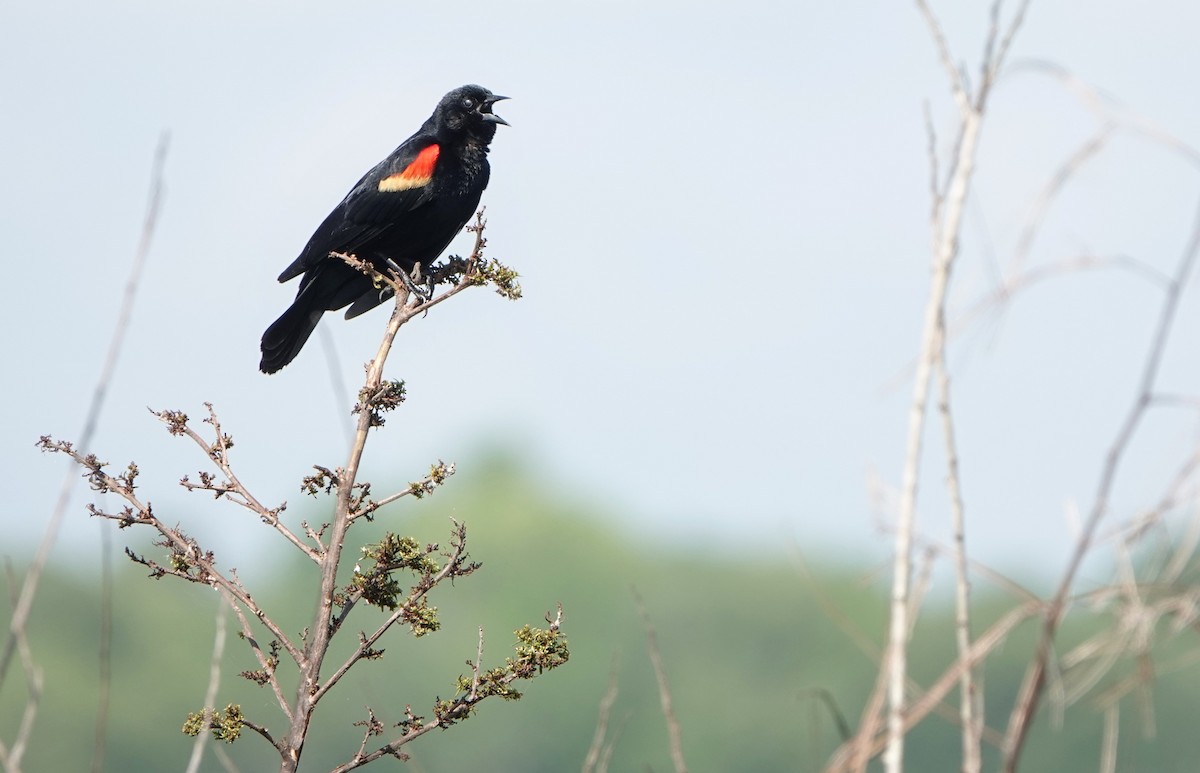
719, 212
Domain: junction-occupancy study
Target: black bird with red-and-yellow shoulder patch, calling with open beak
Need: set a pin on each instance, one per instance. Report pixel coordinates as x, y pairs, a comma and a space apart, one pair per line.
407, 209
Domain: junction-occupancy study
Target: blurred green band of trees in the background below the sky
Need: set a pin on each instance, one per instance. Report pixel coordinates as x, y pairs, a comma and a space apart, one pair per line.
757, 651
